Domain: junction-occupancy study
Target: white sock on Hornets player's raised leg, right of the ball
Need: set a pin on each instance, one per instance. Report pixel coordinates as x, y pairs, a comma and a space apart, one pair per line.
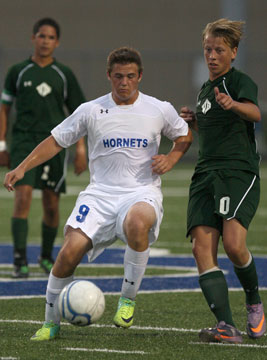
134, 269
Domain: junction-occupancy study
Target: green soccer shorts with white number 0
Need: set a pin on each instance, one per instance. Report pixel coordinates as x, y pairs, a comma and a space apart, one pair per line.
222, 194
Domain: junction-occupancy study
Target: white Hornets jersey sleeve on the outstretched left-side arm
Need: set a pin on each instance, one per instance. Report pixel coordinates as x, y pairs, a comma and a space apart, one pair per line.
74, 127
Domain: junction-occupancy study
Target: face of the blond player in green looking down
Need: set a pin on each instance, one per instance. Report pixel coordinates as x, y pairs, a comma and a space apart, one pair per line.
218, 56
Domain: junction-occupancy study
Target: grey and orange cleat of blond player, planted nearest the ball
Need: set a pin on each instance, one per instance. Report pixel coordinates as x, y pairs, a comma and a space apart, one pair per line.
223, 333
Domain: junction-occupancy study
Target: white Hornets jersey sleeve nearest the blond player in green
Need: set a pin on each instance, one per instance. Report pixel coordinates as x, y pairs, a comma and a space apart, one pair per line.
174, 125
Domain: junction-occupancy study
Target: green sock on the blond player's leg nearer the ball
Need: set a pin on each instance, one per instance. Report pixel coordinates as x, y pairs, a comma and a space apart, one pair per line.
215, 290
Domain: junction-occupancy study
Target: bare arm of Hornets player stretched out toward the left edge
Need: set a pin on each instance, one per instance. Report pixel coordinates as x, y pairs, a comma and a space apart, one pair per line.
43, 152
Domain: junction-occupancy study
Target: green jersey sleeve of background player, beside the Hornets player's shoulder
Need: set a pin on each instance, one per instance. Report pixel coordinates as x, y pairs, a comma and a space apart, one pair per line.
75, 95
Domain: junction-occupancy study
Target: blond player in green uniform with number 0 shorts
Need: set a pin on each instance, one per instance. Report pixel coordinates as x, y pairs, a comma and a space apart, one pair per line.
224, 193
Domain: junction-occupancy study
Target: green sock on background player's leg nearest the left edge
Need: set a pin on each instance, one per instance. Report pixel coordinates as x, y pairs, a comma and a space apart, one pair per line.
19, 230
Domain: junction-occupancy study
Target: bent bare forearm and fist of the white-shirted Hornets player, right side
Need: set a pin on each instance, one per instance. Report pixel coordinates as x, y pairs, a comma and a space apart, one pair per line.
163, 163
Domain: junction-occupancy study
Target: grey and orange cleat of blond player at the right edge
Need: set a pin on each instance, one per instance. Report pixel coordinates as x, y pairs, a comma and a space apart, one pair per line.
256, 323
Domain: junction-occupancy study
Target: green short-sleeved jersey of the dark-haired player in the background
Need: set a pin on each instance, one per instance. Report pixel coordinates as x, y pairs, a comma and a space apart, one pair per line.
41, 93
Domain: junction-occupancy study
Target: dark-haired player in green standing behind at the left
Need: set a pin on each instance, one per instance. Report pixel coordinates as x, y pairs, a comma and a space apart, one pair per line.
41, 87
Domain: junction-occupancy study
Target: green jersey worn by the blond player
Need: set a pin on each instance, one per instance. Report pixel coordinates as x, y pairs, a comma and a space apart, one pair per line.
225, 140
